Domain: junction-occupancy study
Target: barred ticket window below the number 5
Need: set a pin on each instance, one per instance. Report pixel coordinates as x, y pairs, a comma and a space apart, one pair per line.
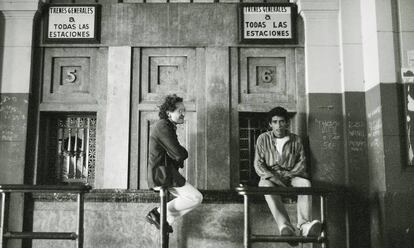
69, 156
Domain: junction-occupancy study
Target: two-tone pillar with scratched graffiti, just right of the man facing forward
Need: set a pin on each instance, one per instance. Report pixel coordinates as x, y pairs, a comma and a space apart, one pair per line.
324, 89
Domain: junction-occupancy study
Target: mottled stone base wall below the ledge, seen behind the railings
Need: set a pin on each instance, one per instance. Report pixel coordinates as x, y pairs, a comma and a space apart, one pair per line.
123, 225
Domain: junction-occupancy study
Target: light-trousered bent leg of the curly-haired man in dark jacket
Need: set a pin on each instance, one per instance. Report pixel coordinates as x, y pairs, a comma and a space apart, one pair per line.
187, 198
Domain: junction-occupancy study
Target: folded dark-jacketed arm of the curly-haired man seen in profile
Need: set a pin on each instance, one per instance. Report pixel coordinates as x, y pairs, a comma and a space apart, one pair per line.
168, 140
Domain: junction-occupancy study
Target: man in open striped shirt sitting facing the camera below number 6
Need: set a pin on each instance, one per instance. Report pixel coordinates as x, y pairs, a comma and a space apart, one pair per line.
280, 162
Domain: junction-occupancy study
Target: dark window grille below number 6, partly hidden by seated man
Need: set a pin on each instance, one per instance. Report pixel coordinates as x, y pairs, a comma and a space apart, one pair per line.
251, 125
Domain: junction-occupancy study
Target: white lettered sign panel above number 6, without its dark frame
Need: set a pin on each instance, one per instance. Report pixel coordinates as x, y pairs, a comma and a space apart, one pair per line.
267, 22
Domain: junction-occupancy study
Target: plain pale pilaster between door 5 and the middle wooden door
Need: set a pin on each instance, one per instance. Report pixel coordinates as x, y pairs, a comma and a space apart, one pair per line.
115, 169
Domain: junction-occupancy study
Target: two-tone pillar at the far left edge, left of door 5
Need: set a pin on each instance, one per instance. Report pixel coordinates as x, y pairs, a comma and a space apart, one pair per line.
16, 23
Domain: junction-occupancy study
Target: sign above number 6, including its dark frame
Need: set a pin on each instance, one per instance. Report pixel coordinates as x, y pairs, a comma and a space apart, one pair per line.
268, 23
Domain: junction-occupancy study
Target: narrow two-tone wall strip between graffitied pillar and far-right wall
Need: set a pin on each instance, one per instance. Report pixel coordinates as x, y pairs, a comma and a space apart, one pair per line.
355, 136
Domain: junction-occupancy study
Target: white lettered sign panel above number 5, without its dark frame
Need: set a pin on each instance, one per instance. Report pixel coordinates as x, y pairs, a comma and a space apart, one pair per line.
71, 22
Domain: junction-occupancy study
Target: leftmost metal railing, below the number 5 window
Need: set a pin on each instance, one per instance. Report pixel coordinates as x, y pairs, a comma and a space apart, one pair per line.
7, 189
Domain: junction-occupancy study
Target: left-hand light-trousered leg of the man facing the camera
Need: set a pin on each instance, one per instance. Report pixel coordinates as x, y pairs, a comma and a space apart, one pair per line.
276, 206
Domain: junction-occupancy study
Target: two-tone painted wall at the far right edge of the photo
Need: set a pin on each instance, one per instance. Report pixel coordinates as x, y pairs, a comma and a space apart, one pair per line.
386, 28
